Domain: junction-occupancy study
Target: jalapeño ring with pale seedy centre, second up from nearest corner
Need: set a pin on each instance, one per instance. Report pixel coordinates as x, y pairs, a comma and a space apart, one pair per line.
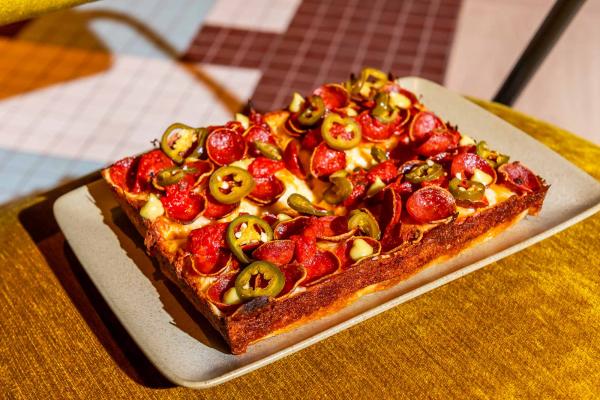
247, 230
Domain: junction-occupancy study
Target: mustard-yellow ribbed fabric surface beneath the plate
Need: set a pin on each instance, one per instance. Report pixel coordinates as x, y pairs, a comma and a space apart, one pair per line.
526, 326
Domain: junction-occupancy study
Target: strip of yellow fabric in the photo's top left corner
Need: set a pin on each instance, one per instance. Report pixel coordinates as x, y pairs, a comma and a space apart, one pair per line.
18, 10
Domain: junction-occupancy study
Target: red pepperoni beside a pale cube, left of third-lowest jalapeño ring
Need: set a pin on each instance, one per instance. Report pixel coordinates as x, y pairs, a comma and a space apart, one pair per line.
180, 202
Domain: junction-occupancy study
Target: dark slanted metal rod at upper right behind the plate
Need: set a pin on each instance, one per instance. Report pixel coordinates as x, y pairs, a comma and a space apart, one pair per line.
543, 41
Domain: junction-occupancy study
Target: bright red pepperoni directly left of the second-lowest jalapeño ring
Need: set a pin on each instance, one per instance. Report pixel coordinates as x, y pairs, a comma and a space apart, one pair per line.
208, 248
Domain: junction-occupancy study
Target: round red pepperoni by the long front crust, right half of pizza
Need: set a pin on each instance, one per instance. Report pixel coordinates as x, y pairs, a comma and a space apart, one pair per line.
431, 204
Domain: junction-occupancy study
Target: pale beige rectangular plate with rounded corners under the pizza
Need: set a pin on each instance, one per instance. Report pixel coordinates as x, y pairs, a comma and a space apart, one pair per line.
181, 343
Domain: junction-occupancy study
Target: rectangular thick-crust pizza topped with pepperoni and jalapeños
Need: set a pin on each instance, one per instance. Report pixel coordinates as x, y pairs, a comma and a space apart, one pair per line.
277, 218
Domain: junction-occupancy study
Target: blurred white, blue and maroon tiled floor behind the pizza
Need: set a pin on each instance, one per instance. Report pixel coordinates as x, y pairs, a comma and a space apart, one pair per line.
83, 87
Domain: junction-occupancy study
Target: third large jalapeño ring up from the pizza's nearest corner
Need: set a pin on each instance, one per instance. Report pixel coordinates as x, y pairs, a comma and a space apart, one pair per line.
230, 184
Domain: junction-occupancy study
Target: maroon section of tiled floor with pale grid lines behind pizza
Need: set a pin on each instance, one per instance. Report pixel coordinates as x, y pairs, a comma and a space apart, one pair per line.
326, 40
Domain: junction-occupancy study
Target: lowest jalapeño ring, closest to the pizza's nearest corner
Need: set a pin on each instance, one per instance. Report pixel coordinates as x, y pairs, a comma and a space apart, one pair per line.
261, 278
